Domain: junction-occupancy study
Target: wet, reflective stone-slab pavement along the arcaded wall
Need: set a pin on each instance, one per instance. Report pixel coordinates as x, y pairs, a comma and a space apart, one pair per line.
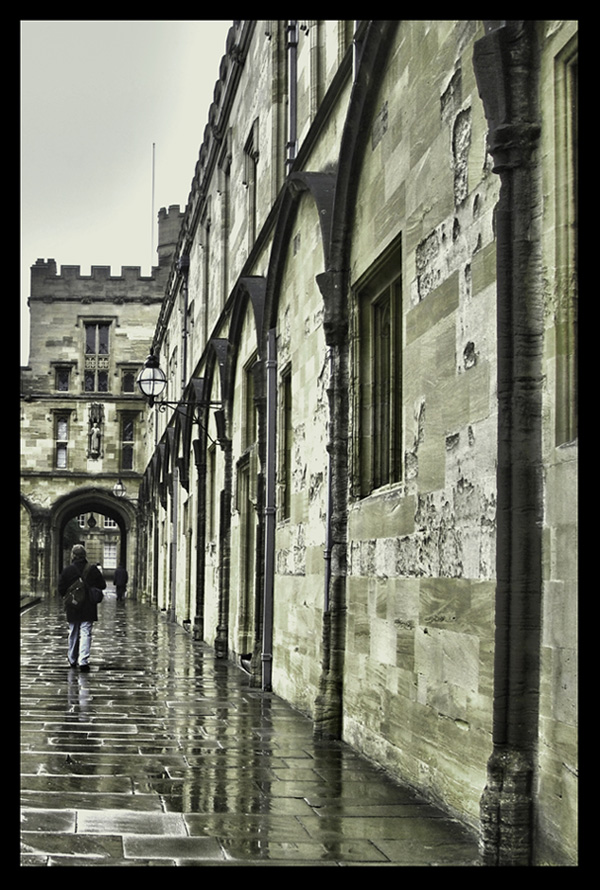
164, 755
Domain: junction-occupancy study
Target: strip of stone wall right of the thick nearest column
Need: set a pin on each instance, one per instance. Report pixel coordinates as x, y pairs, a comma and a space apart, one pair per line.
557, 803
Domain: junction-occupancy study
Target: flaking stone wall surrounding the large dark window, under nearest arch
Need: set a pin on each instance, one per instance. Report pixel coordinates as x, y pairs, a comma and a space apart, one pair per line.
419, 671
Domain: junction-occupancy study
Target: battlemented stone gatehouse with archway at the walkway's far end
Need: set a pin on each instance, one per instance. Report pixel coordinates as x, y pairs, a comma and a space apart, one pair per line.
82, 416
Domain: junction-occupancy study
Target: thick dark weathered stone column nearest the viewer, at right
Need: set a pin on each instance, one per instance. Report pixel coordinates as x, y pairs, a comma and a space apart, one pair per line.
503, 62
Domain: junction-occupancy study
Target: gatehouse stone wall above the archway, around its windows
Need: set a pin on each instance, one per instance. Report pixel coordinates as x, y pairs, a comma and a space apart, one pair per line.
60, 305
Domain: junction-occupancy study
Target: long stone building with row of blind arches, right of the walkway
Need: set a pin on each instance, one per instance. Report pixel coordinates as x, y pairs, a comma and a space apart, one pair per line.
361, 483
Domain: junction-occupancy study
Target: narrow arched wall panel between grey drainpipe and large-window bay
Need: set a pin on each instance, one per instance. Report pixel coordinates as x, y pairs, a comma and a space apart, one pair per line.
300, 538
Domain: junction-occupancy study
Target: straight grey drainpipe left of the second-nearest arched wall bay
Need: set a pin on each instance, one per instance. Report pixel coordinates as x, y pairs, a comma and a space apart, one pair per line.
270, 508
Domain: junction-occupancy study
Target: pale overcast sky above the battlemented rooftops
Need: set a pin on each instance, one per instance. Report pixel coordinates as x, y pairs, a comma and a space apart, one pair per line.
95, 97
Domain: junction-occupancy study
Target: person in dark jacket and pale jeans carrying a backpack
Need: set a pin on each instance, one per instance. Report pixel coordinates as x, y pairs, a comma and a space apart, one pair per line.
81, 618
